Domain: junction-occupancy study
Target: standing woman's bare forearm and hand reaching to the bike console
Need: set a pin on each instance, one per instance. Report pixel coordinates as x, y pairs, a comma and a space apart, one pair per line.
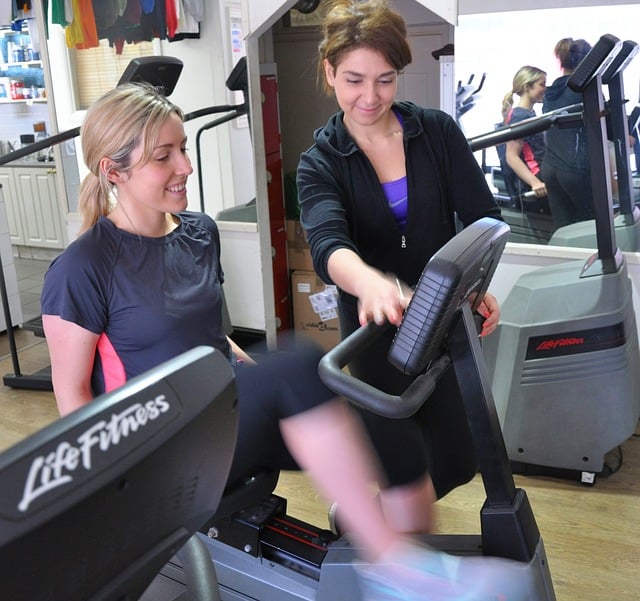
380, 295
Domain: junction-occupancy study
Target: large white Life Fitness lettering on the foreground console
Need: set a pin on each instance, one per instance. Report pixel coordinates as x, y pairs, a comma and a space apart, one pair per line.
57, 468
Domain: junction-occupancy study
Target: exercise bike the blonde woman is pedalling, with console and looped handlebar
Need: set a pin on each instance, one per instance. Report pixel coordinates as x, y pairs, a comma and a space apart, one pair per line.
259, 552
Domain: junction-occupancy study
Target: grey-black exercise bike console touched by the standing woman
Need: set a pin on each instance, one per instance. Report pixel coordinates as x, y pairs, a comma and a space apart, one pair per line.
459, 272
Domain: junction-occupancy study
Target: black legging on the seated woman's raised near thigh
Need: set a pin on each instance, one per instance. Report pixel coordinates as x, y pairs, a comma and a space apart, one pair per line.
281, 385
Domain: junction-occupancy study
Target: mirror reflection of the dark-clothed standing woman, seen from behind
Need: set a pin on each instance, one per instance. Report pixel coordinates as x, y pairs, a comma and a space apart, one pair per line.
565, 167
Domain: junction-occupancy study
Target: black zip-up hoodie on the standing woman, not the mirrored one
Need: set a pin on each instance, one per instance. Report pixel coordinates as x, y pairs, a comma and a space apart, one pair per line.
343, 205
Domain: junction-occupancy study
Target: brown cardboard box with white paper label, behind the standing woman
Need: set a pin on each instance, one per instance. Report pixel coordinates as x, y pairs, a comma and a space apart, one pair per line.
319, 327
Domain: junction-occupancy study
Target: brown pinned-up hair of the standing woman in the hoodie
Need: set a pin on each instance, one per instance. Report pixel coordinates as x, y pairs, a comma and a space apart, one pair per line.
352, 24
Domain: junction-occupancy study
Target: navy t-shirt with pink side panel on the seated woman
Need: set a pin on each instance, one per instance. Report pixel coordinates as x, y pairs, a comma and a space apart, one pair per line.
149, 299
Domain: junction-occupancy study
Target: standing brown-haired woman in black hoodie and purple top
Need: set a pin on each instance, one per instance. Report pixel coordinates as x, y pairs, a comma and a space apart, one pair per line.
380, 191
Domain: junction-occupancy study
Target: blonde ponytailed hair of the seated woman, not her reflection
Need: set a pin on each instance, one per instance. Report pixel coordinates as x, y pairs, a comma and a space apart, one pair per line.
132, 114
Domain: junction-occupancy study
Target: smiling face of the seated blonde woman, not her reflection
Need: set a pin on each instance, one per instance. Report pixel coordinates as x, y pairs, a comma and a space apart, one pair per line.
159, 185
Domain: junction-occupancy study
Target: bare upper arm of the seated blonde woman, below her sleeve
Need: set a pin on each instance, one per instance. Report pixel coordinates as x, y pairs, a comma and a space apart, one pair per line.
72, 352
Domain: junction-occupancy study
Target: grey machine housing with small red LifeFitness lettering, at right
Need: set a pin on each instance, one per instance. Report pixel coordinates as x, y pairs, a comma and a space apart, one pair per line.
564, 410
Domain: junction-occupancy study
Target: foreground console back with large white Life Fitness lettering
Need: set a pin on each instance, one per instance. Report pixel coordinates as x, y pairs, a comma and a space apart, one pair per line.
95, 504
